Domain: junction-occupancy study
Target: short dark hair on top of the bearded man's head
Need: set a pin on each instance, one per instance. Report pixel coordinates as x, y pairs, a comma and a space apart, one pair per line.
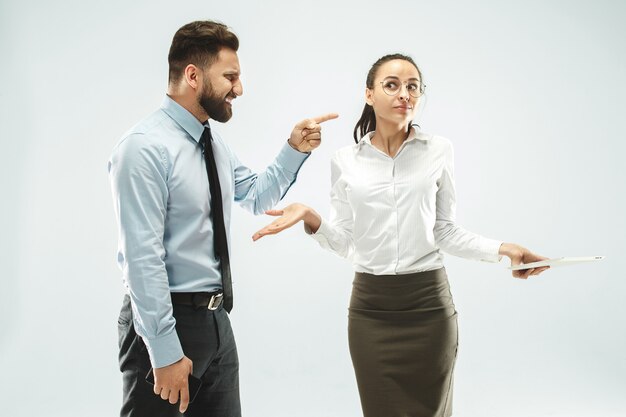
198, 43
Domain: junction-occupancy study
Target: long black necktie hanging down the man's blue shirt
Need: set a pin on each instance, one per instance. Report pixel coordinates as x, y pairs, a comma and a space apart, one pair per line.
220, 243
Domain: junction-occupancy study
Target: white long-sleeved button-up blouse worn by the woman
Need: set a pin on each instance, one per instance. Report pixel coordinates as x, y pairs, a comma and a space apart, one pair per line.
391, 216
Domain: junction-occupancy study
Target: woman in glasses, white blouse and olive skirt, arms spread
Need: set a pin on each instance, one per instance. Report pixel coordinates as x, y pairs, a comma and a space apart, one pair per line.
392, 211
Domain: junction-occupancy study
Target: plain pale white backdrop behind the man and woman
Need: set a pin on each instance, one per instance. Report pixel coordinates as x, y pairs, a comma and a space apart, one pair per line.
530, 92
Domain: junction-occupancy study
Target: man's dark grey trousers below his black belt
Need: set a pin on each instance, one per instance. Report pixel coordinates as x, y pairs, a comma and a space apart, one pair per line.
207, 339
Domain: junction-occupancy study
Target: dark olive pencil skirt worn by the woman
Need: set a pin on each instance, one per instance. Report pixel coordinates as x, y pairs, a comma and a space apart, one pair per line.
402, 331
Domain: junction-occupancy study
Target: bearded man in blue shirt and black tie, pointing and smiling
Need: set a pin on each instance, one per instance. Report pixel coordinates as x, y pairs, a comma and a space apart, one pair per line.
174, 181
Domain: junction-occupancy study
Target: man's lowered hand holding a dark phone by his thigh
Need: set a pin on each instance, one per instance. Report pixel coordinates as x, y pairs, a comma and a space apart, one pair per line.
171, 382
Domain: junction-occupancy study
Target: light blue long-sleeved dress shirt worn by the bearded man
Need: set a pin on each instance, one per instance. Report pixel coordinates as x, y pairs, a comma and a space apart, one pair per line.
162, 203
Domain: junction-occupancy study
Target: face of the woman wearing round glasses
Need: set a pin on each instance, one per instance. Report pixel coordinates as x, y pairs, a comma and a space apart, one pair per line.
396, 93
